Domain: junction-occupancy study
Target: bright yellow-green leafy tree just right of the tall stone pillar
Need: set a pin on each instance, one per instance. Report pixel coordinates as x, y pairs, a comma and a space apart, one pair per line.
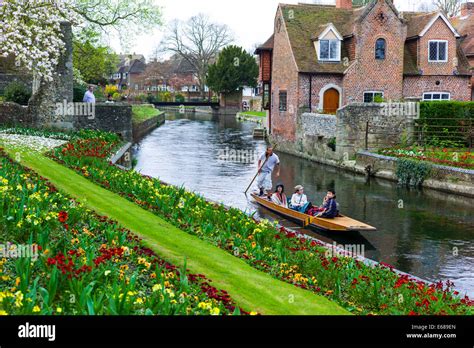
94, 61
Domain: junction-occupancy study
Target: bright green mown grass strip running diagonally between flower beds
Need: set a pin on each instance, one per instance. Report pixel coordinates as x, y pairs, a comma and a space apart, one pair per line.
250, 288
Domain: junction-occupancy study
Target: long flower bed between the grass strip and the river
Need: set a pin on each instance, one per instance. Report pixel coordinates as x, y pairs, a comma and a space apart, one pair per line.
290, 257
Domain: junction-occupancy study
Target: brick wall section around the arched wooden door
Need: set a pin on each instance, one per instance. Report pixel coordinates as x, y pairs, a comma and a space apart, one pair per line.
318, 83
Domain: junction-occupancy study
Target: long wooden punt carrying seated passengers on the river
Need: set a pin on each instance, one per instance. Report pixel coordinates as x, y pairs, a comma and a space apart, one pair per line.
338, 224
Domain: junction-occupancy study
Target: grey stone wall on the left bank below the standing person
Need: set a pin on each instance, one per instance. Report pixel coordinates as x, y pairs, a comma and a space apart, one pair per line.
116, 118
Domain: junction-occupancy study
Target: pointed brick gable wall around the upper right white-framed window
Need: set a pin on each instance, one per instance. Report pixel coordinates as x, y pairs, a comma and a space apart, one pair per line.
438, 31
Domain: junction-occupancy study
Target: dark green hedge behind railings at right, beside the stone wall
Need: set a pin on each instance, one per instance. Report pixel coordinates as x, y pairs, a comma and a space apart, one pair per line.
446, 123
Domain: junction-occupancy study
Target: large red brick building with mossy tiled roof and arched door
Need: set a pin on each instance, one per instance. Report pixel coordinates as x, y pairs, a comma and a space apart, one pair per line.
323, 57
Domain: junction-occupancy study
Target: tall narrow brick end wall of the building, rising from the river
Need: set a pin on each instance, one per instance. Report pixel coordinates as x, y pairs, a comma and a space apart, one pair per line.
284, 78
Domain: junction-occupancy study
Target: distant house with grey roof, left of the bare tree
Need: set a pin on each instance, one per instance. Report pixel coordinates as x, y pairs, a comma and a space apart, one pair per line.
130, 70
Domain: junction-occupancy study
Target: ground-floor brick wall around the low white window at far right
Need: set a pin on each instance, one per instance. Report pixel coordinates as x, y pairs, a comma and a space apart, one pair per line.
458, 86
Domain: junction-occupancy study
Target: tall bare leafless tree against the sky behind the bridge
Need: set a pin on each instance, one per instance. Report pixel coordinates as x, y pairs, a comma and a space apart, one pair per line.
198, 41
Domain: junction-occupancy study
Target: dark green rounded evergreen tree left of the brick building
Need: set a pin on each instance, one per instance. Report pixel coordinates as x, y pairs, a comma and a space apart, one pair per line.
233, 70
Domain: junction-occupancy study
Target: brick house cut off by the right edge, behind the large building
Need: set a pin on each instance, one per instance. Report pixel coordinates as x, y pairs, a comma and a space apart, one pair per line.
464, 24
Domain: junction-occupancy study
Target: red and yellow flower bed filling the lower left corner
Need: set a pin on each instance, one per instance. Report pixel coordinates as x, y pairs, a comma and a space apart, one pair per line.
86, 264
